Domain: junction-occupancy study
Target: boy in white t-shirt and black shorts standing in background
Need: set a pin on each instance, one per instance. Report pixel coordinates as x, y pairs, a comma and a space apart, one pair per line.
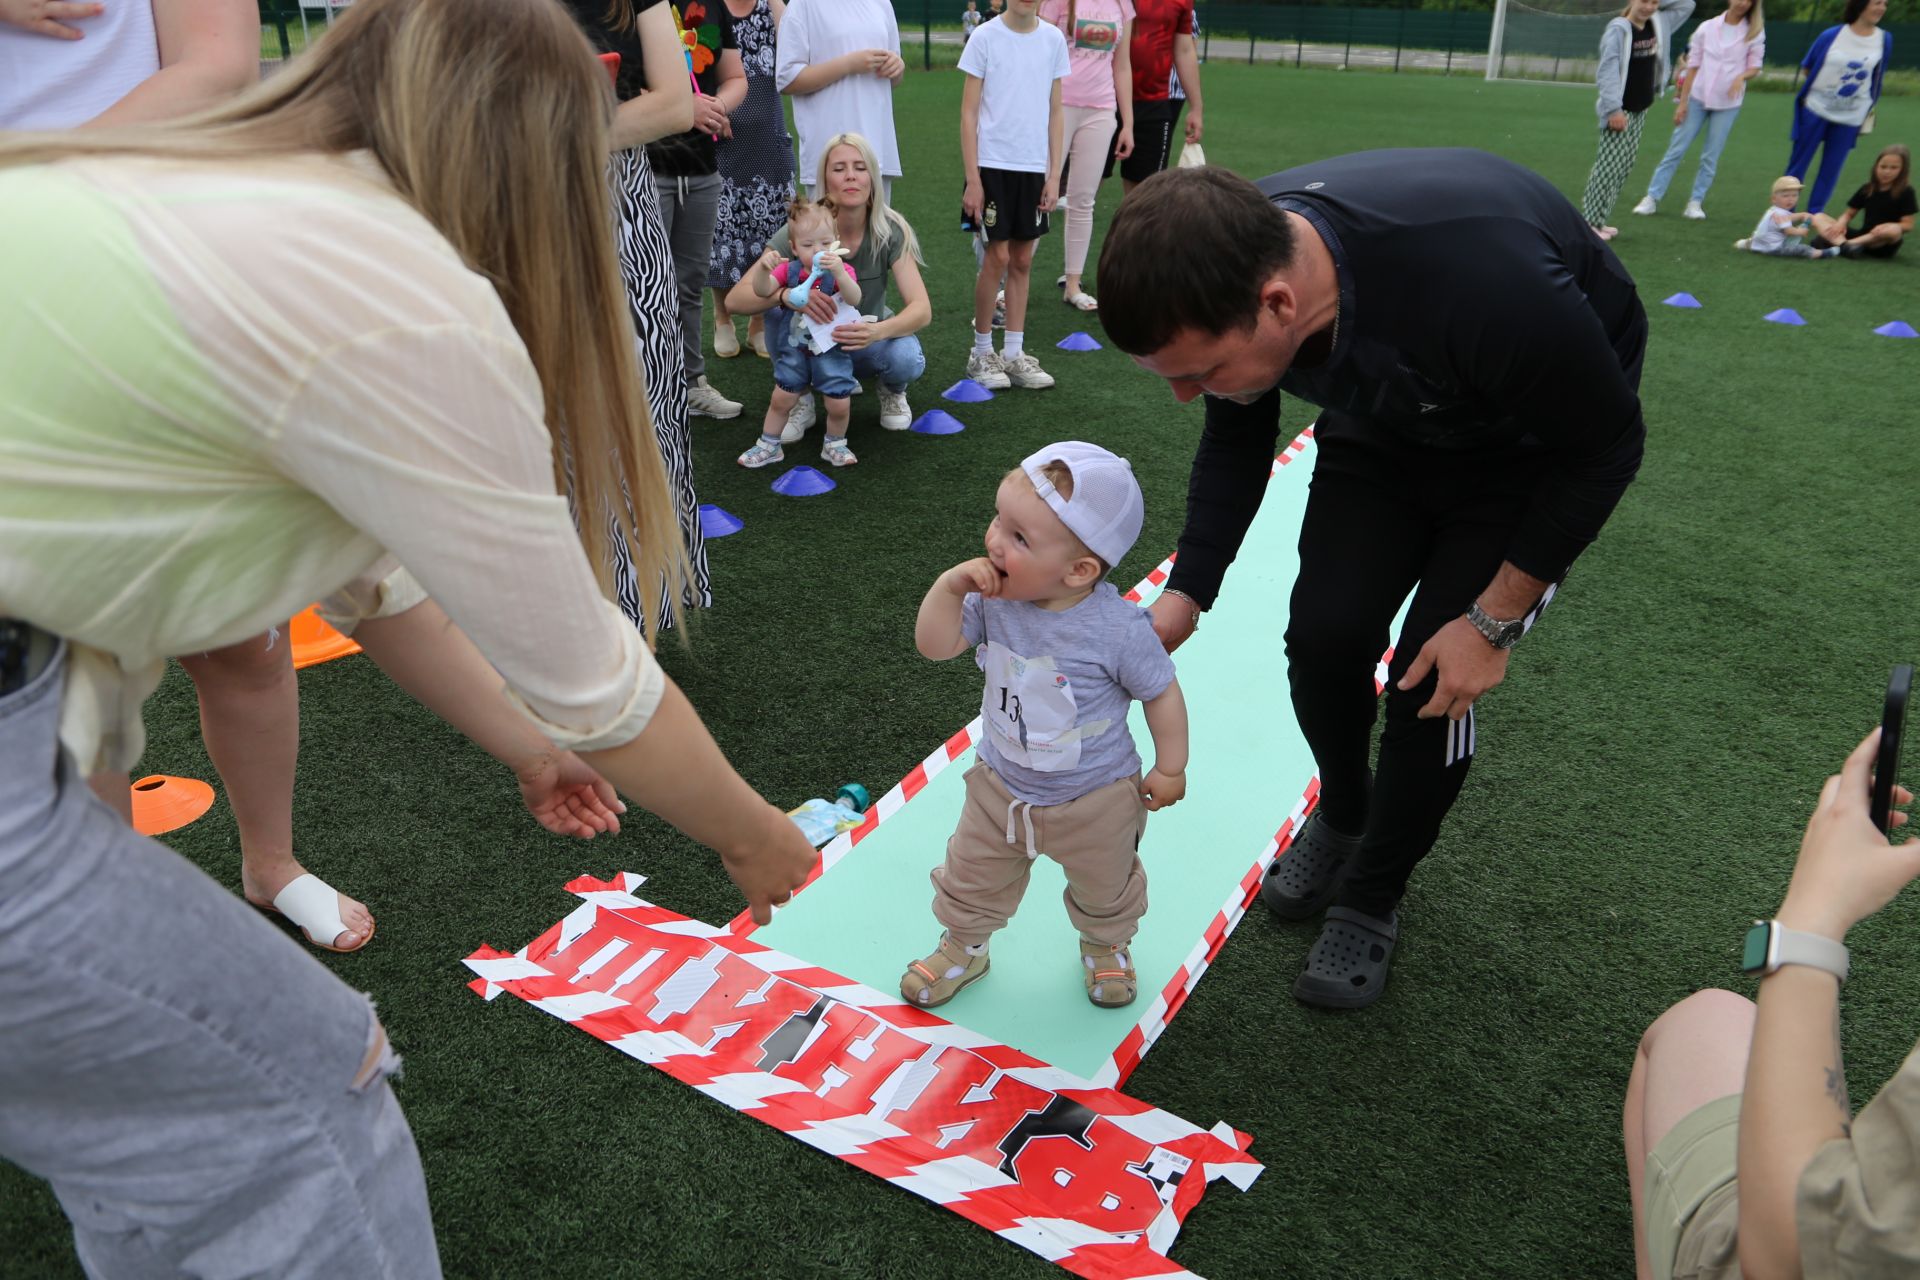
1011, 149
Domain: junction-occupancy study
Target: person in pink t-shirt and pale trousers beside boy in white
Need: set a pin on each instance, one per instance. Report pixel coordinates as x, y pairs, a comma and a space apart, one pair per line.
1097, 97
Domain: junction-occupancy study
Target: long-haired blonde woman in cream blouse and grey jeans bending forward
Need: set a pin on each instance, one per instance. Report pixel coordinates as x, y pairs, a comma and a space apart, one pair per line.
366, 316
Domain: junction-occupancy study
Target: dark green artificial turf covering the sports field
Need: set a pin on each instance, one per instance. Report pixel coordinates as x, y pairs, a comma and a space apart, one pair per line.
1639, 795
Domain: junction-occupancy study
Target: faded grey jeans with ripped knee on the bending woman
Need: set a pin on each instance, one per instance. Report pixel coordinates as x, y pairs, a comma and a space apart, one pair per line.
172, 1064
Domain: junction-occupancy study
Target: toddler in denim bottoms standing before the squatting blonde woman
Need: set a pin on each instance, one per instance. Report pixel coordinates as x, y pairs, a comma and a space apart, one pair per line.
790, 341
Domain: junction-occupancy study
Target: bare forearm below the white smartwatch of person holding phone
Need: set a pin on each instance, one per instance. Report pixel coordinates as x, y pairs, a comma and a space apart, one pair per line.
1794, 1104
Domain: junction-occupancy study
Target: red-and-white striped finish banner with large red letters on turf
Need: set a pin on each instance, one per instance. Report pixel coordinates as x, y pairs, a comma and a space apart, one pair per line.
1086, 1177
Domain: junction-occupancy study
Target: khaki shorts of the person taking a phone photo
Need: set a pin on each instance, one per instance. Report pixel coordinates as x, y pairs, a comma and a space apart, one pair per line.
1692, 1198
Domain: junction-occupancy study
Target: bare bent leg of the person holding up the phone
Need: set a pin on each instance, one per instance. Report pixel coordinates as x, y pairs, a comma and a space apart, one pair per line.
1692, 1055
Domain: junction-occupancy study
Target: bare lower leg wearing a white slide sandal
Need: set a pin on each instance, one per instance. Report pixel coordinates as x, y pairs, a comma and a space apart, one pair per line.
251, 723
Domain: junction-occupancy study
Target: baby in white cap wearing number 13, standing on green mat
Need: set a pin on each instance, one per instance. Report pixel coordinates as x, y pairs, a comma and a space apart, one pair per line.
1059, 774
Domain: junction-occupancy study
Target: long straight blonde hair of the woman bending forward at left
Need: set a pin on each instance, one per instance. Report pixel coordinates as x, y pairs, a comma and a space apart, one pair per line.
491, 118
